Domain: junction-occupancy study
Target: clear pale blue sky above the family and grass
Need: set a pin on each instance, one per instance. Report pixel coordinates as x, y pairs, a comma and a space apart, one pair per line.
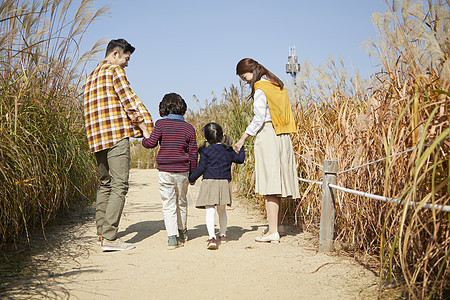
192, 47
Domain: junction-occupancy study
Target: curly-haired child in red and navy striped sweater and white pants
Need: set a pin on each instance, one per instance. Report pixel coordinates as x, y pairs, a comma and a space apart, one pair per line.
177, 157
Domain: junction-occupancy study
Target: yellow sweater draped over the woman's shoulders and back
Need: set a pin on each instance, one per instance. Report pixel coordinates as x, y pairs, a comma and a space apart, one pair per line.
279, 106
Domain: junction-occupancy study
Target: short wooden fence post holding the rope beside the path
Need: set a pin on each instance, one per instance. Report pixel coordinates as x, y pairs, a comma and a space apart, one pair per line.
327, 211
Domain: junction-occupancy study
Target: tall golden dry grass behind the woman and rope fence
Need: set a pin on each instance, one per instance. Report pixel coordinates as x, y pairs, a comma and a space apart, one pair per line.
356, 121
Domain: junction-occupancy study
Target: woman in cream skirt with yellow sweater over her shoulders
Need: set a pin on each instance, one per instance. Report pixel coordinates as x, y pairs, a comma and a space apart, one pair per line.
273, 121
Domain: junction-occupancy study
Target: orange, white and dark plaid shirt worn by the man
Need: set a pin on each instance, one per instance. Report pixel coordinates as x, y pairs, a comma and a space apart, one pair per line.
111, 108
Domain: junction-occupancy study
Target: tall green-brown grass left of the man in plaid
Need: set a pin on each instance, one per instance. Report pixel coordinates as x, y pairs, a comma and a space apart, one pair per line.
45, 164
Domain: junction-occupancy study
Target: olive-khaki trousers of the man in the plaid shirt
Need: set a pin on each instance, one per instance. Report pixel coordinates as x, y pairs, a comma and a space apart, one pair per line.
113, 168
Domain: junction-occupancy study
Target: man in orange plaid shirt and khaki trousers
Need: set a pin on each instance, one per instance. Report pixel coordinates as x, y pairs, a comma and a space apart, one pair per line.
113, 114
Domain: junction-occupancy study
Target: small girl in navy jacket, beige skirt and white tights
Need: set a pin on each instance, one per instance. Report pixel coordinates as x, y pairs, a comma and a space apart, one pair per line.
215, 165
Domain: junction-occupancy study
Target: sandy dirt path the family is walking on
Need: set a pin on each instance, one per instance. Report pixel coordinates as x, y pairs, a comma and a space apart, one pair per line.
240, 269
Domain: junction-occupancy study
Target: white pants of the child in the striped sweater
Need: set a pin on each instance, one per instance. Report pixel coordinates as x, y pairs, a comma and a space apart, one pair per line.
173, 189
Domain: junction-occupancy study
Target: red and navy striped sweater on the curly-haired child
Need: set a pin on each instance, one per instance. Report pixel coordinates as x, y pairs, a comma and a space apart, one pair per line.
178, 145
